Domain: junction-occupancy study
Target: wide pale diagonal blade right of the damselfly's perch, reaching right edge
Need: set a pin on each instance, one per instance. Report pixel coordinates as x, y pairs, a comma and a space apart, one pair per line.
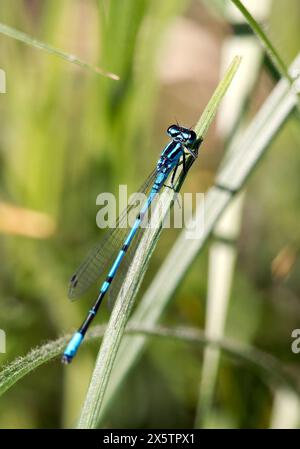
240, 163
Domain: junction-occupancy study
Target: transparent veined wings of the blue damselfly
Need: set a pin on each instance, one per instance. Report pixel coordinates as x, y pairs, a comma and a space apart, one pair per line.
101, 257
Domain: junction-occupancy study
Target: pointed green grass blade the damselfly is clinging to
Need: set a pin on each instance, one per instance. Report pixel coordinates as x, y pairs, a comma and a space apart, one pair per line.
112, 339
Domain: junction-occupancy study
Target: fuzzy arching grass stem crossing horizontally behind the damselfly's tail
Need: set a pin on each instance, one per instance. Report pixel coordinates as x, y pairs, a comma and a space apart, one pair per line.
266, 363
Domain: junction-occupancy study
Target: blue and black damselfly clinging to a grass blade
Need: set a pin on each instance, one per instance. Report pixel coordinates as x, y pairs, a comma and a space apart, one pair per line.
117, 248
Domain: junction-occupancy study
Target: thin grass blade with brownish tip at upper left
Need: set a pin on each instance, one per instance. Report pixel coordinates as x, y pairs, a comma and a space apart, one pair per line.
22, 37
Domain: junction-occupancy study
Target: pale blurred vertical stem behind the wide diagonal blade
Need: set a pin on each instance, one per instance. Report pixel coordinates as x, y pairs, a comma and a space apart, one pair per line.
222, 257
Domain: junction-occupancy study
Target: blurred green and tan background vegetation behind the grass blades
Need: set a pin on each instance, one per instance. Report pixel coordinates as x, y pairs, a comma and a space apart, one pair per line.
68, 134
